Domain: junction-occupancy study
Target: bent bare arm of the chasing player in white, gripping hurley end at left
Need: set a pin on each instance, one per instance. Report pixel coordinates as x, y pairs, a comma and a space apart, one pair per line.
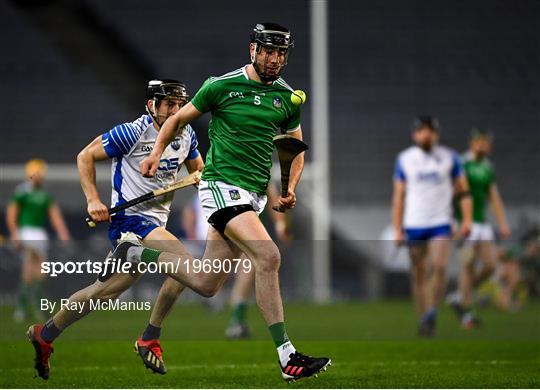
87, 172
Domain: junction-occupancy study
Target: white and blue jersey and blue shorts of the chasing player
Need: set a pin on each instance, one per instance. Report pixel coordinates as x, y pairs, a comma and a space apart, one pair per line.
128, 144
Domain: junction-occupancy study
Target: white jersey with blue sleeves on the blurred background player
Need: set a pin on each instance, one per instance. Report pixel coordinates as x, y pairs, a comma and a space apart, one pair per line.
429, 178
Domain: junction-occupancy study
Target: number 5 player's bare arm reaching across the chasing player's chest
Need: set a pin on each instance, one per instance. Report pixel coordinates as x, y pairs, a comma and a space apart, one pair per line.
166, 134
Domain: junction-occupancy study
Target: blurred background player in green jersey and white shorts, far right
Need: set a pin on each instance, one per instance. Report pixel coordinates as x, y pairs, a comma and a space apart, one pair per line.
480, 244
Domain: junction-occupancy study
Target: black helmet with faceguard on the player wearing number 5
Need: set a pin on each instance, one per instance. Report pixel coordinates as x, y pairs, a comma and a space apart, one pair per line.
270, 36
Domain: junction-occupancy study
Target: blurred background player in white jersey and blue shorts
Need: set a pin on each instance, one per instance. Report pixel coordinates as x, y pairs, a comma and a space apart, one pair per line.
426, 177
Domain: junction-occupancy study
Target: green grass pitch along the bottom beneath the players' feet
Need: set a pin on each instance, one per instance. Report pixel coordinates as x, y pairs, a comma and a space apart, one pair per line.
372, 345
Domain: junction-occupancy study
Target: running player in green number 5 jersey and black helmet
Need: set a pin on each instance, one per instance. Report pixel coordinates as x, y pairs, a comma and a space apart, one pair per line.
248, 106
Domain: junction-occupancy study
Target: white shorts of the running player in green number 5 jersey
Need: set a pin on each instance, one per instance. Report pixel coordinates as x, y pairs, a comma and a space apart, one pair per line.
216, 195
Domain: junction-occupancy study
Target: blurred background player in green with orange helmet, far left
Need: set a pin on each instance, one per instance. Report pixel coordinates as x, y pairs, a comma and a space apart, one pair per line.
30, 208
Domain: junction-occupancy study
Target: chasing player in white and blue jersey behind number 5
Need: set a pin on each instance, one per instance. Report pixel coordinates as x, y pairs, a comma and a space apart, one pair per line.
127, 144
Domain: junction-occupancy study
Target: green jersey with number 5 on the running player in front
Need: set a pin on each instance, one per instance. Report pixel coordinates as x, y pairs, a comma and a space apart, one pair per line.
245, 117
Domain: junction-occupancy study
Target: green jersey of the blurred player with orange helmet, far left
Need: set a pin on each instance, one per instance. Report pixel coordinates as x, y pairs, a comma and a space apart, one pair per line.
33, 205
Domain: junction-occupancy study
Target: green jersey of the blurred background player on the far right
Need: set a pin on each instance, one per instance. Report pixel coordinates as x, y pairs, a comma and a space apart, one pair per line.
480, 175
